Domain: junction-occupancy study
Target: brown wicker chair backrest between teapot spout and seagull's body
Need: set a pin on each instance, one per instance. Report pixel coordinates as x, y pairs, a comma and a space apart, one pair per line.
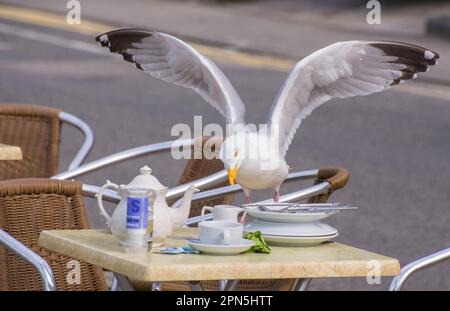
198, 168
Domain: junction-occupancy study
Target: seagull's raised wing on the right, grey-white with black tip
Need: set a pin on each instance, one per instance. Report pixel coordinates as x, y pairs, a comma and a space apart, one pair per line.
342, 70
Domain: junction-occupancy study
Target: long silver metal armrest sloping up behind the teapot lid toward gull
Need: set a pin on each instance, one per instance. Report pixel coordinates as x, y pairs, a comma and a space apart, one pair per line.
122, 156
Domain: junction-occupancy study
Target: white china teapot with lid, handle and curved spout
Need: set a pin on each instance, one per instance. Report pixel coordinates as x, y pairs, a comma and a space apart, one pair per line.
165, 217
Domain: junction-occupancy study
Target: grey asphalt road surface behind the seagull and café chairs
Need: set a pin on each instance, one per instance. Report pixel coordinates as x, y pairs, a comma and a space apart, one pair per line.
396, 145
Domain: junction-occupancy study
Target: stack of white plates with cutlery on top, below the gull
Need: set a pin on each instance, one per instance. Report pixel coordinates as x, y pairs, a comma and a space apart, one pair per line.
298, 225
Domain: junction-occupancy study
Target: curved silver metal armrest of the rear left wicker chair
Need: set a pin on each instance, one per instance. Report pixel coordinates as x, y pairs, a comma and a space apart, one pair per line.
88, 138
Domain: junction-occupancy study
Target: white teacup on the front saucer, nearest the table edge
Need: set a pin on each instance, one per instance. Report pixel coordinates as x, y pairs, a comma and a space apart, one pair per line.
219, 232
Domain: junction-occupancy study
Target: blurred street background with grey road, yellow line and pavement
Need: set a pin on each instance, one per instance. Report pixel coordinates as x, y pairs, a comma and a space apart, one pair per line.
396, 144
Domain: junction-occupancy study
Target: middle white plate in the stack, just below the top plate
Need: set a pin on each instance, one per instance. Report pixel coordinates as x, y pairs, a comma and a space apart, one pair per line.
313, 229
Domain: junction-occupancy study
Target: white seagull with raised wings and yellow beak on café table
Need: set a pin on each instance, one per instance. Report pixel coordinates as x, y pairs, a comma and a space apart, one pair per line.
256, 159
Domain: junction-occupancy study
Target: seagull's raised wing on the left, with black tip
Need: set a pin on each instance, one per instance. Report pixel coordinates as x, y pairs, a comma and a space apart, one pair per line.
172, 60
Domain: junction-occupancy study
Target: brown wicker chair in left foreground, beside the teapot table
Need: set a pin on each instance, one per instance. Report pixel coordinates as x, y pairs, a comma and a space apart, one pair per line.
28, 206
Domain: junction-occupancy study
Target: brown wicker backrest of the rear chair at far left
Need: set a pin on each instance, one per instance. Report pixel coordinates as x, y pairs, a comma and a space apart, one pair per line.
37, 131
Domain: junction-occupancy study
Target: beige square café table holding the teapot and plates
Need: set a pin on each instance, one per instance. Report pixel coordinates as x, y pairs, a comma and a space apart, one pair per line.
328, 260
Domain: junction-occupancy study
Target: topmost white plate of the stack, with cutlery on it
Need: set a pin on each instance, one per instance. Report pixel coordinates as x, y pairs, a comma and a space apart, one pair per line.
299, 216
